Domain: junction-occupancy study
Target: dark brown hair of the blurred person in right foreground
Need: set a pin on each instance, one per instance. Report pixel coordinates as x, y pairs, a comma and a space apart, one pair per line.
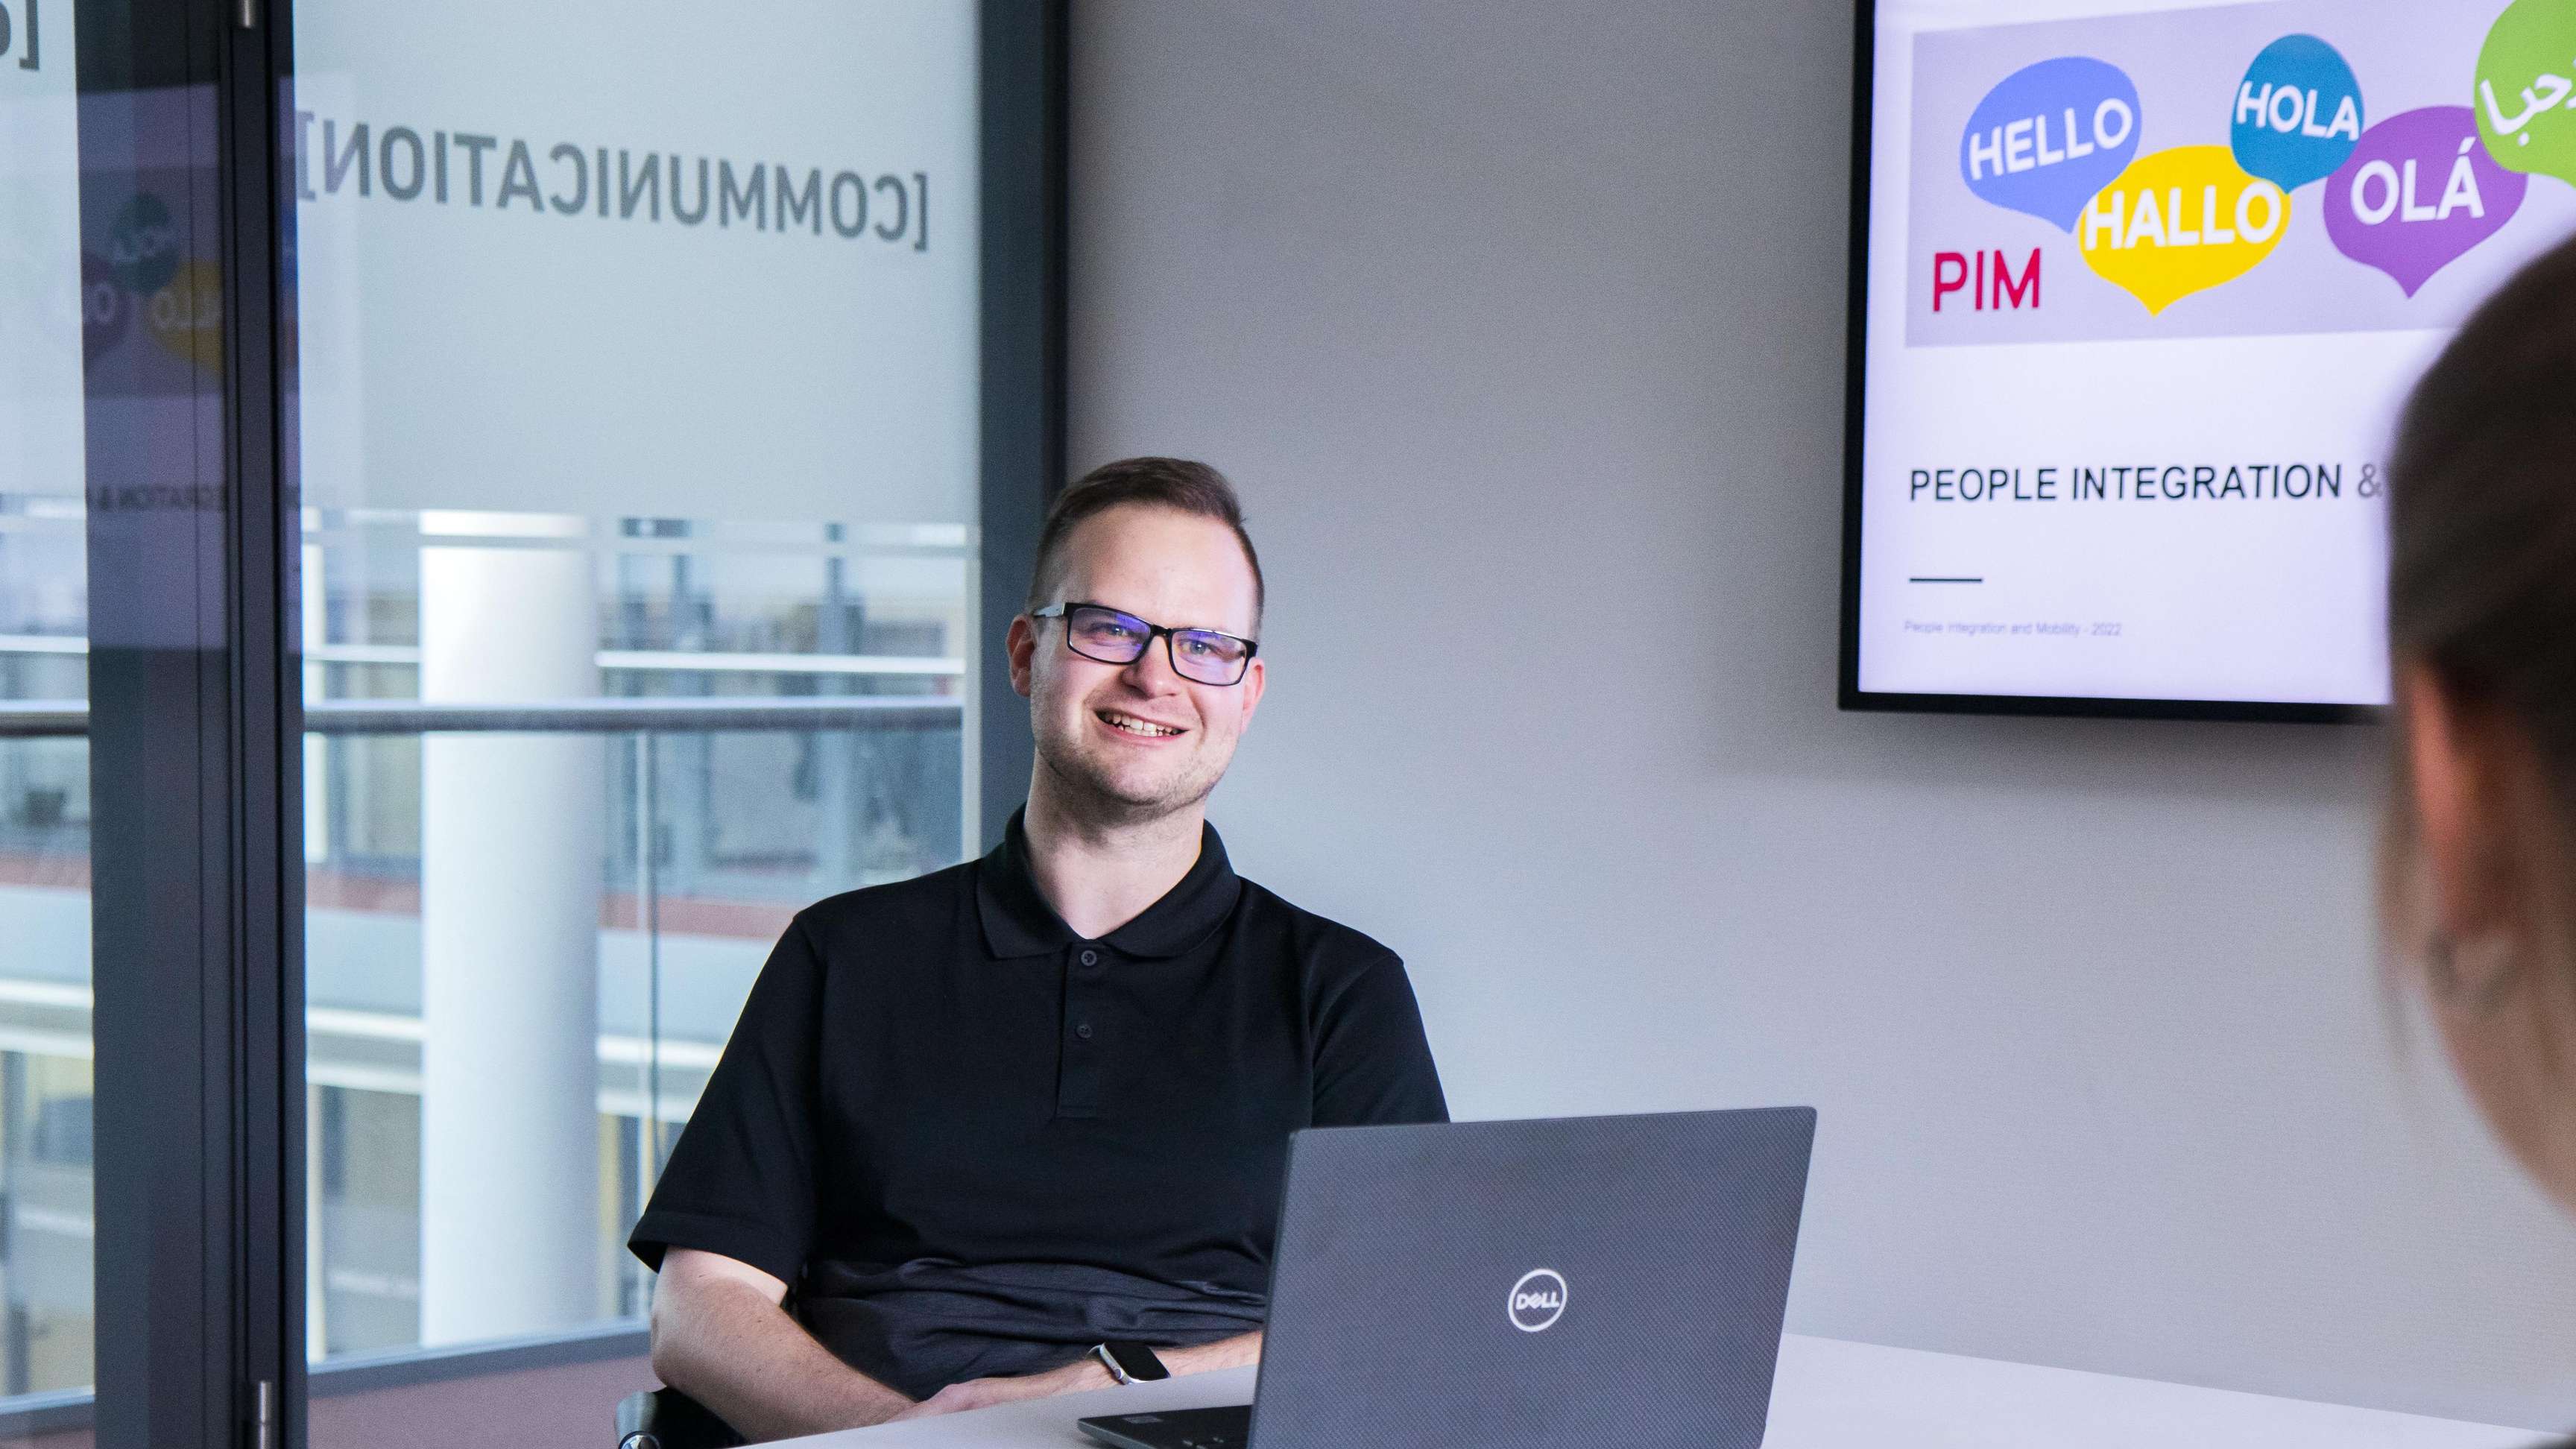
2482, 592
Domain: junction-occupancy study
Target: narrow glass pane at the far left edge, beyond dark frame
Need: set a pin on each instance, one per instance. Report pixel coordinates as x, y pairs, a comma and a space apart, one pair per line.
58, 303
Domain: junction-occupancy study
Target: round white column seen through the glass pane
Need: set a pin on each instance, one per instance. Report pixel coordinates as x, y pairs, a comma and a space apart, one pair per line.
511, 839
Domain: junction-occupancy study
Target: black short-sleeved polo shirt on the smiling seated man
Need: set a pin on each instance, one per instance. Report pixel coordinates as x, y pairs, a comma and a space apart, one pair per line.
978, 1143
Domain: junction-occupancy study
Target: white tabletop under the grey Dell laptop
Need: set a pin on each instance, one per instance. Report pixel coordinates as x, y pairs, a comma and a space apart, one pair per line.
1843, 1396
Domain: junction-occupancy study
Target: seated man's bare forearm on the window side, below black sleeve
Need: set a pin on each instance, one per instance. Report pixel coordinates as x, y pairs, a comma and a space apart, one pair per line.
759, 1370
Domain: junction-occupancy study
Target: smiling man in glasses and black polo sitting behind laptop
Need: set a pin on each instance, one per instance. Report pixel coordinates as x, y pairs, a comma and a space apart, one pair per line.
1019, 1128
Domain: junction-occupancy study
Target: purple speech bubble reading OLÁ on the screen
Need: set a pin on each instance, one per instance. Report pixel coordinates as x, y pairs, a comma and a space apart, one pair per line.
2418, 195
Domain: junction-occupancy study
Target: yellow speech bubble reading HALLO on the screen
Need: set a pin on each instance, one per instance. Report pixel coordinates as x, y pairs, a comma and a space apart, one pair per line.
2178, 223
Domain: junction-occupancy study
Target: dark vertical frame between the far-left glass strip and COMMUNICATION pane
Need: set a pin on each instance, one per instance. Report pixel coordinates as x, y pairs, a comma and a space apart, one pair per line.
197, 891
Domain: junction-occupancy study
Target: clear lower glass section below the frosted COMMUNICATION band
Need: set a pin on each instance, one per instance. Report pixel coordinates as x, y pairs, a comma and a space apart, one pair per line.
779, 718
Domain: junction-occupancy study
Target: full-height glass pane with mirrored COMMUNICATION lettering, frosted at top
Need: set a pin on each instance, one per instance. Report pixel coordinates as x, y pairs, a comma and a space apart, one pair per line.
640, 602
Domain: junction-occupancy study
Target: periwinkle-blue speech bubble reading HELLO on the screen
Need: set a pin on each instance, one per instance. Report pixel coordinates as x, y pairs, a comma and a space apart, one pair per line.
2049, 135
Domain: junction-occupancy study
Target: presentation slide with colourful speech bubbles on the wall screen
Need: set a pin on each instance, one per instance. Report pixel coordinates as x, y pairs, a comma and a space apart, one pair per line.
2147, 287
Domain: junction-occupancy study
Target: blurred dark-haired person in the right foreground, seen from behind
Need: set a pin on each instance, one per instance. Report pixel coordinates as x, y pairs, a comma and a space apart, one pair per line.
2479, 865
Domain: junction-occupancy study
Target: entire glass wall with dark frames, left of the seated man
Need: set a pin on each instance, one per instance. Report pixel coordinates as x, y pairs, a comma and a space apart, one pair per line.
607, 478
